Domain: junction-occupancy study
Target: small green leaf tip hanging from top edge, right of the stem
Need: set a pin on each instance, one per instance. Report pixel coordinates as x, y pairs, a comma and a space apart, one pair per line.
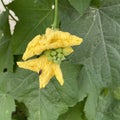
80, 5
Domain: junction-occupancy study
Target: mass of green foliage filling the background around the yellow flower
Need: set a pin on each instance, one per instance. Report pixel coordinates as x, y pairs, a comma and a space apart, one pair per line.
92, 73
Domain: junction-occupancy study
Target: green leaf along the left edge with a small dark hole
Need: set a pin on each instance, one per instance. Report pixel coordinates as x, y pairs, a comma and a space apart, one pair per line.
6, 57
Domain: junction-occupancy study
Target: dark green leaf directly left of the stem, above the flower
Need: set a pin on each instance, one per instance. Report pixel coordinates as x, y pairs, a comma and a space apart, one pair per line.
33, 17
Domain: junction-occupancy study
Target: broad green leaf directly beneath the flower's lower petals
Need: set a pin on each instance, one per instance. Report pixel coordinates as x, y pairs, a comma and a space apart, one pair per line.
46, 103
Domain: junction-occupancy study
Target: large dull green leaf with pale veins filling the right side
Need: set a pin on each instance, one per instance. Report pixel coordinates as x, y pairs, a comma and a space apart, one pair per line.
99, 52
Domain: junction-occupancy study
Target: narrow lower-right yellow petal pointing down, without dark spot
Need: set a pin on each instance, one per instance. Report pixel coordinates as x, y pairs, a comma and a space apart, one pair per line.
58, 73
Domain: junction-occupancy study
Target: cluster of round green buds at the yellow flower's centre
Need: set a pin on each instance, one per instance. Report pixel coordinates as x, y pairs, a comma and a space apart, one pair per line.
55, 55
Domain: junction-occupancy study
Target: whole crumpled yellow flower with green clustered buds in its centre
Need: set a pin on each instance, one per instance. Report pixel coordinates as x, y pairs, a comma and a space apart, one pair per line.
52, 47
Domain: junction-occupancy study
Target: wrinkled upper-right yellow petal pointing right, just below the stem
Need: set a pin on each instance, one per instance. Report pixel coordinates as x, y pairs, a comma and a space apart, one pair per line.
62, 39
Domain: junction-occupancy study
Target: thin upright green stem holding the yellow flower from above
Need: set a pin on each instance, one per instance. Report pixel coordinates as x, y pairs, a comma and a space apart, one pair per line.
55, 22
